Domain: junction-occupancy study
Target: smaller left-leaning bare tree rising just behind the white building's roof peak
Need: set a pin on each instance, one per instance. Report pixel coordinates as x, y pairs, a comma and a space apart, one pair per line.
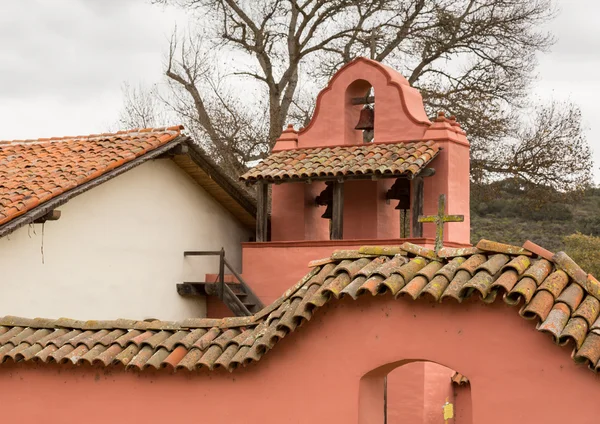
228, 126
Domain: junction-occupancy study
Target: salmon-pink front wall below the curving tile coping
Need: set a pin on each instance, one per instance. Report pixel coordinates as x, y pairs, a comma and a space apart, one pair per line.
313, 375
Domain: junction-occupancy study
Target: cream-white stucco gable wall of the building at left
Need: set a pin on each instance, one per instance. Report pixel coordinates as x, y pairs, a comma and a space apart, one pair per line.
117, 250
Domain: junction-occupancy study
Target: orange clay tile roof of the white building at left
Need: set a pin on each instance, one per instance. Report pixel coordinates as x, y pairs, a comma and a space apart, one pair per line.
34, 171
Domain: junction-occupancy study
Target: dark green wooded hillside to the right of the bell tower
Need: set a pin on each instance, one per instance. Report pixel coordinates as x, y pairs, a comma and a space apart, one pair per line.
509, 215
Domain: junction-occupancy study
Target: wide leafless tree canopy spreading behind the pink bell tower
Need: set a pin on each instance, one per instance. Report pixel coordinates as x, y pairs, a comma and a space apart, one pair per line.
472, 58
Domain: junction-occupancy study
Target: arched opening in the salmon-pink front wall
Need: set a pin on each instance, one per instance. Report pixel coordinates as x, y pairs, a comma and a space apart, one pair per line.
416, 392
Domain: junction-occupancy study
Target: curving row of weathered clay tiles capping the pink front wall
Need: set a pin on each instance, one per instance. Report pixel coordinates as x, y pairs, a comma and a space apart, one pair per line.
556, 293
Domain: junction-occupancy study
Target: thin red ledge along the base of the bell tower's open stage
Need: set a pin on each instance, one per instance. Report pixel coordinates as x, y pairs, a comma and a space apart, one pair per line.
355, 242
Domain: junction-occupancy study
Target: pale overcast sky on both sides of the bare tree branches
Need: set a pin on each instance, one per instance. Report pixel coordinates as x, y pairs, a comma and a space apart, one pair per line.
64, 62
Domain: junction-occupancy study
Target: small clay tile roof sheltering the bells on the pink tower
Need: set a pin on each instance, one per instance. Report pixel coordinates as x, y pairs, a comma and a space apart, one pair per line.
392, 159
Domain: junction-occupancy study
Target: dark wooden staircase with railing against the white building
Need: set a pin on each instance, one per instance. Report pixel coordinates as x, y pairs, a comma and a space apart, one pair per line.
237, 295
